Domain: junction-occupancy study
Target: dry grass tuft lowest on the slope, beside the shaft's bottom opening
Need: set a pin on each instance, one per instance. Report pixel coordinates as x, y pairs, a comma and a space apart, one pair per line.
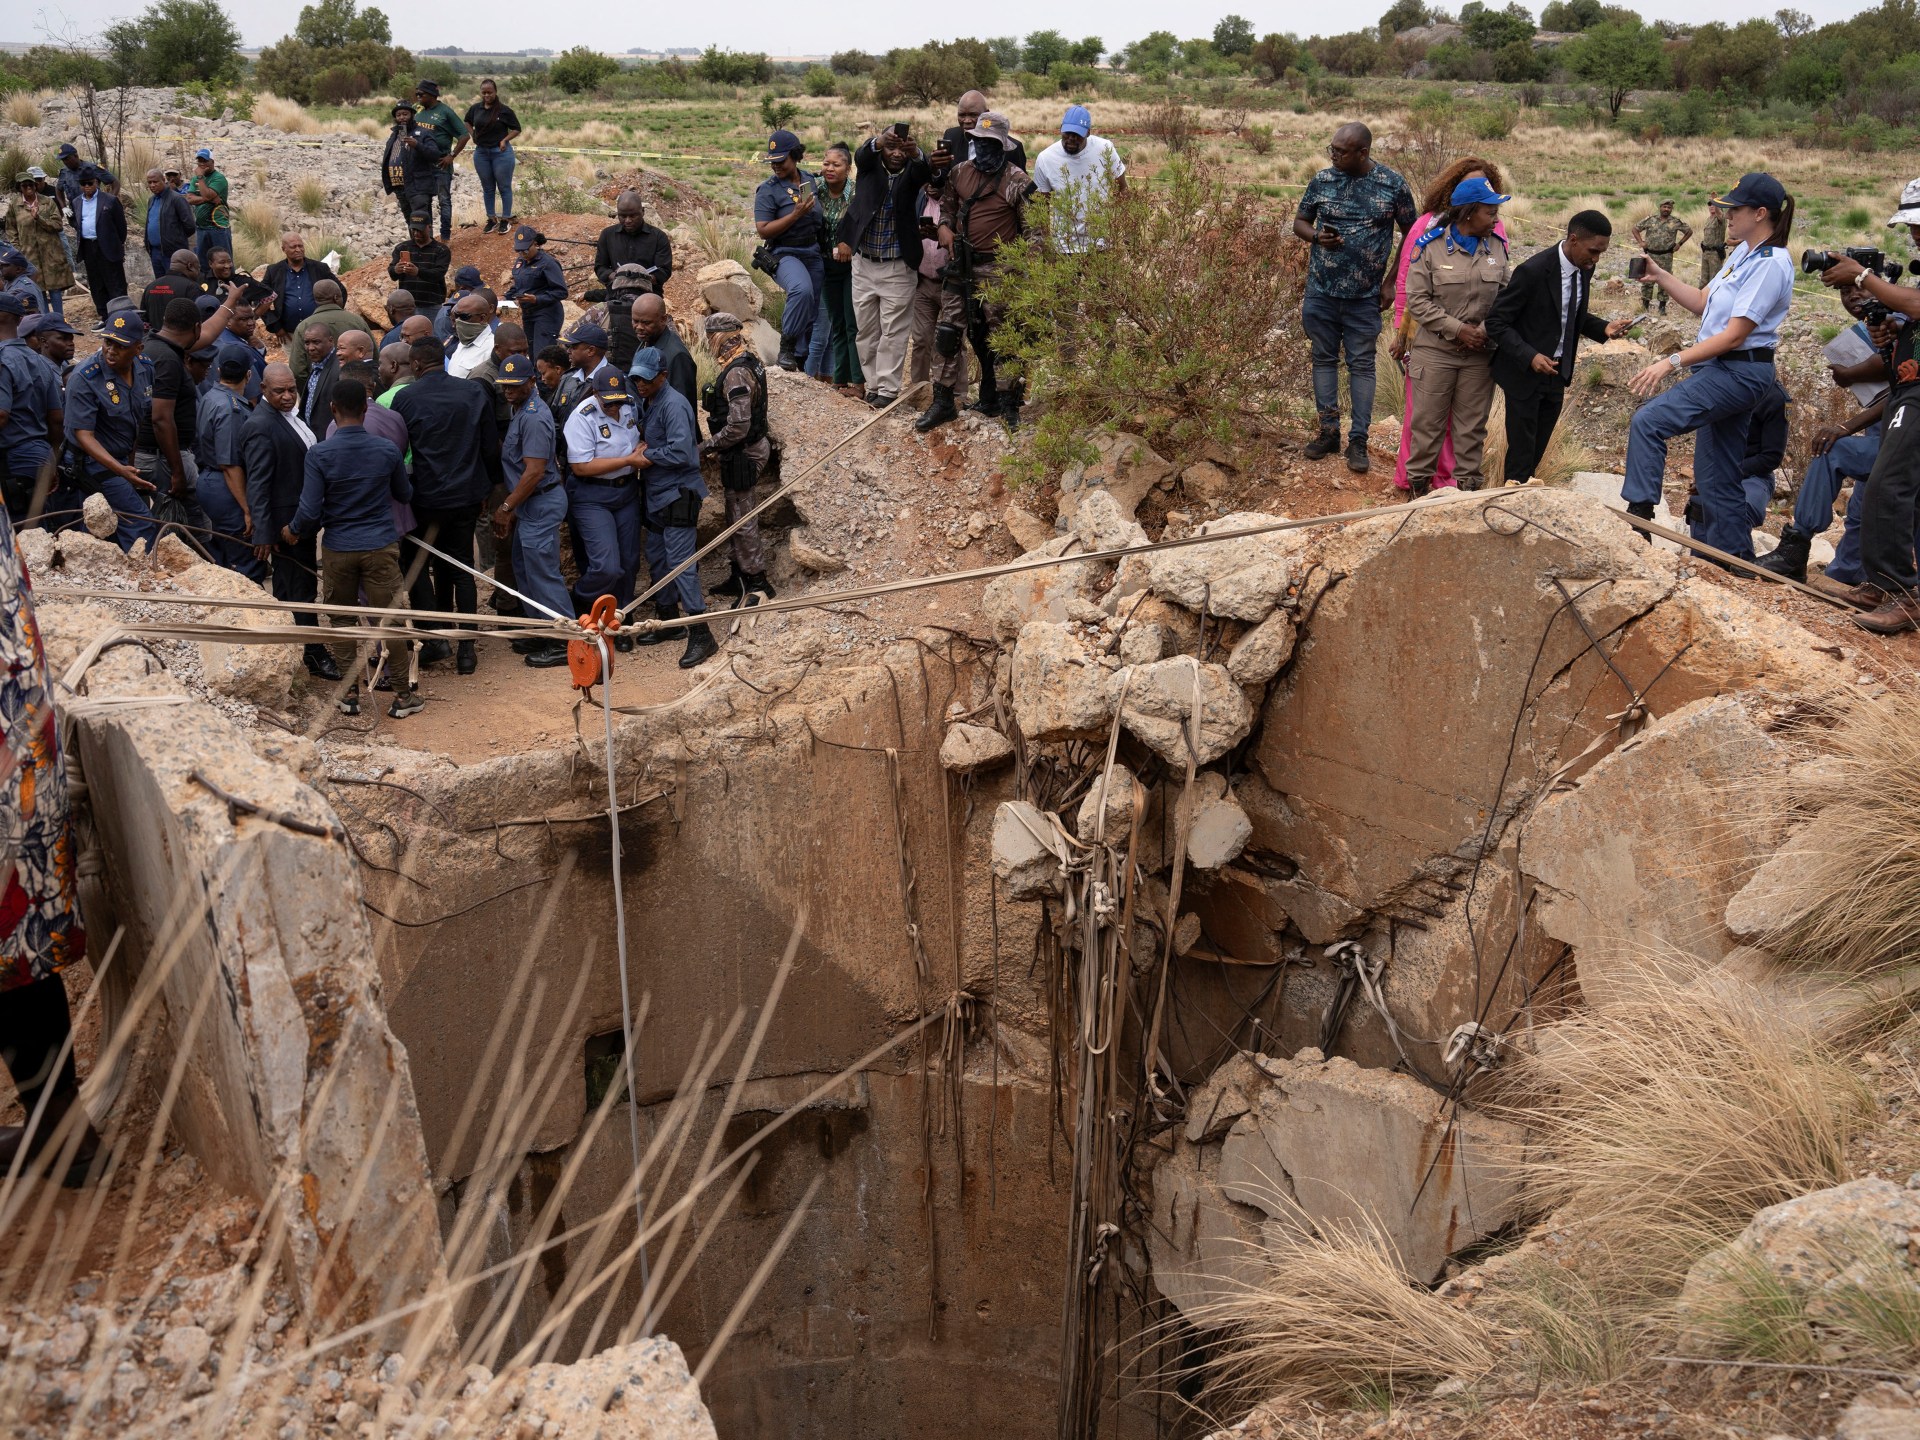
1332, 1316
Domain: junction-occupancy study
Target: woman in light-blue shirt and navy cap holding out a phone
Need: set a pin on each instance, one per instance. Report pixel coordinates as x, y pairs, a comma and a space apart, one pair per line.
1733, 368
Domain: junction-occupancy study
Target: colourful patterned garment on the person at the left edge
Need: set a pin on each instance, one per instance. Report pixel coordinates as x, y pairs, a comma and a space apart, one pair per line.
39, 913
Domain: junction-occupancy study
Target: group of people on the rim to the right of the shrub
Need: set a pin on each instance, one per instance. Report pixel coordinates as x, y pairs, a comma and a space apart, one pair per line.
1468, 322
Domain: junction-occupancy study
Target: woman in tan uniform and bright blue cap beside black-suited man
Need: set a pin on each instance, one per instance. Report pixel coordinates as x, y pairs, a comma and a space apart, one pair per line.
1458, 270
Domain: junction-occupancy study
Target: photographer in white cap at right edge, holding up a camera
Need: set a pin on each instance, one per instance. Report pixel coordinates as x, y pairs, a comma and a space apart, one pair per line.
1892, 491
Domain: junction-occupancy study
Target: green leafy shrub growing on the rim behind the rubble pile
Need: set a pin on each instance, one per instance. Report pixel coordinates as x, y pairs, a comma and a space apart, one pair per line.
1188, 272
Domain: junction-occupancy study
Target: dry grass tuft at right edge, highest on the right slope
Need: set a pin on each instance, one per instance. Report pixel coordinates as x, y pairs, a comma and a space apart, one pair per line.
1861, 861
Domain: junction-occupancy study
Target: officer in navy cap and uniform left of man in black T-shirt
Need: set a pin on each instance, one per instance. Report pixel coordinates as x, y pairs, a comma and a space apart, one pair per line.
107, 402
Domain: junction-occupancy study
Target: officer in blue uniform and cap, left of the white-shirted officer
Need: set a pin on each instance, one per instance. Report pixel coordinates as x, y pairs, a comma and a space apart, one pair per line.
535, 506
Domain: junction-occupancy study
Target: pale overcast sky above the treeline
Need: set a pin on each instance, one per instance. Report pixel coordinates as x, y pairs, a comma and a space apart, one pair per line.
788, 28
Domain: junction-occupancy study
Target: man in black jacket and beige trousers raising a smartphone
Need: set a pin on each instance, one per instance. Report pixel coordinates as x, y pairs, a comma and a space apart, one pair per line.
882, 239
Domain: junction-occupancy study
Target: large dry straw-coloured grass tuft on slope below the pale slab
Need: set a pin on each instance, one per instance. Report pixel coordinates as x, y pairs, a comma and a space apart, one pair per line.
1662, 1124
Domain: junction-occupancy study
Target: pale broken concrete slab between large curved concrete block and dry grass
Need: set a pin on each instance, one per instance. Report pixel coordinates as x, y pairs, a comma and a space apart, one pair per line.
1639, 861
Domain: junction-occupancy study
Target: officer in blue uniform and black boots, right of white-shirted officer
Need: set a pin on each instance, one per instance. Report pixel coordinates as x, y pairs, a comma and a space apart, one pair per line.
671, 475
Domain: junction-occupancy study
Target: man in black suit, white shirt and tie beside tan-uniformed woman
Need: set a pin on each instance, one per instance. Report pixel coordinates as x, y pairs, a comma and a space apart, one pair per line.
1535, 329
